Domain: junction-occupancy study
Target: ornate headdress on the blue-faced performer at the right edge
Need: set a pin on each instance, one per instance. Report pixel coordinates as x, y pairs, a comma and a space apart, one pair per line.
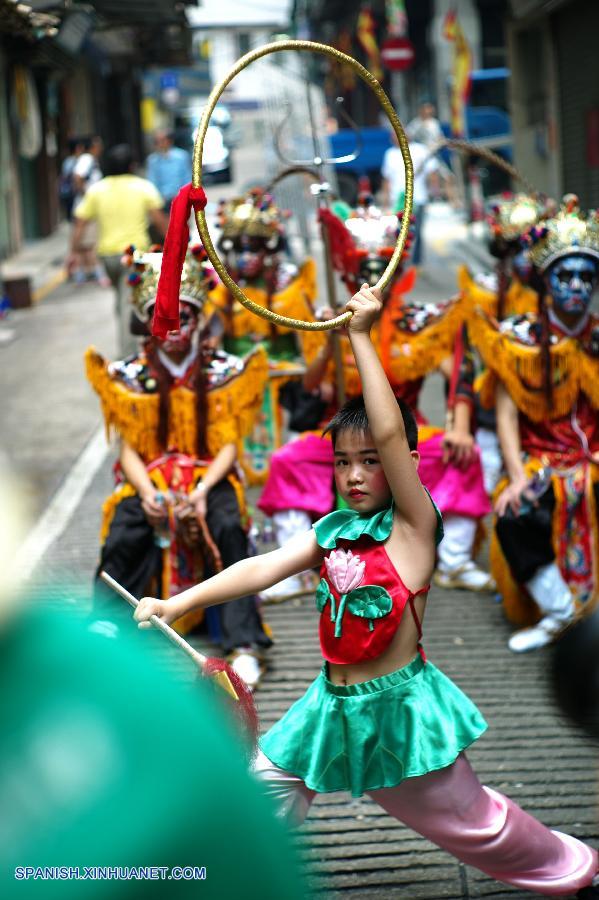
568, 232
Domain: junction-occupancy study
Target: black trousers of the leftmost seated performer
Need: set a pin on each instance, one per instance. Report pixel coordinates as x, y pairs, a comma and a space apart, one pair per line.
133, 559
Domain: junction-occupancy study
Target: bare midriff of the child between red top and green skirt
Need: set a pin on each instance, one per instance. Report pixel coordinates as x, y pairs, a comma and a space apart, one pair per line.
401, 651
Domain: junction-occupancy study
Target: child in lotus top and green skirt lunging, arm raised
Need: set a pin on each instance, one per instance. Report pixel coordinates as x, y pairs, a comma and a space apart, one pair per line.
380, 719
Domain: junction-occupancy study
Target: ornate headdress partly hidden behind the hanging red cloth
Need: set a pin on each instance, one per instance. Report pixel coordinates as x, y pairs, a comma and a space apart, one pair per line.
197, 280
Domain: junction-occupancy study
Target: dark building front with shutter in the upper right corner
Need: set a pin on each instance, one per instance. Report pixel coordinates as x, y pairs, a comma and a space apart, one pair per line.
555, 94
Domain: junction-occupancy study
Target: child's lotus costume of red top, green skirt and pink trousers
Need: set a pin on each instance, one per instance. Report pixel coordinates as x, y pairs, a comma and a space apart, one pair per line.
400, 737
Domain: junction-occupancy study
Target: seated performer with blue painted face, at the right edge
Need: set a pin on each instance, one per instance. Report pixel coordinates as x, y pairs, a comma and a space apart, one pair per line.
543, 376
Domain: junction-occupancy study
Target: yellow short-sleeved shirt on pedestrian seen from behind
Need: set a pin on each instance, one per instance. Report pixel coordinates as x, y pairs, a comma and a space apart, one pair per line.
120, 205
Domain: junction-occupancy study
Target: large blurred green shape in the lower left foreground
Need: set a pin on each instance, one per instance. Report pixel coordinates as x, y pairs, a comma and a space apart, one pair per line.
105, 760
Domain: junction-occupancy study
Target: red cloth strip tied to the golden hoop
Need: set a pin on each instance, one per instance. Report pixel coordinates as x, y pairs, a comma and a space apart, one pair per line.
166, 309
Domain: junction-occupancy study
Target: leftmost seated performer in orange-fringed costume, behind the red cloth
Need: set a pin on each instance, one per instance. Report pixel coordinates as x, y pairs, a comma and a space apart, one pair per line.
180, 409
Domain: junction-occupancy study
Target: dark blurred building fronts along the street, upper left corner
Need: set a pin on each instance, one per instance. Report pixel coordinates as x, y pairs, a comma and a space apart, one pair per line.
69, 71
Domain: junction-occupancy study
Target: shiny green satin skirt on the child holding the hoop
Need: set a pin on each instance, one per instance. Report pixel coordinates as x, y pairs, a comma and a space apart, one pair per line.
371, 735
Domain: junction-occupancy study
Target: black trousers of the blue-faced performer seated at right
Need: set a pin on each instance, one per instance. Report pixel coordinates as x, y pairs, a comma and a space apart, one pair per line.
526, 539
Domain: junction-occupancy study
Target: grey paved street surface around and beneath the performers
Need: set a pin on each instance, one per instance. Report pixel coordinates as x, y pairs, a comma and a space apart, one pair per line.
51, 417
